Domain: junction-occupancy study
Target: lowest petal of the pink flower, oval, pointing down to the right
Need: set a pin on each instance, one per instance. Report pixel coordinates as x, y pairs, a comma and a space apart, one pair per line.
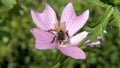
73, 52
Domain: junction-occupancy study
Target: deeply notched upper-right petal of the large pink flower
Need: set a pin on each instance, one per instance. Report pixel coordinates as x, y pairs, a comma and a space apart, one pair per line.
73, 22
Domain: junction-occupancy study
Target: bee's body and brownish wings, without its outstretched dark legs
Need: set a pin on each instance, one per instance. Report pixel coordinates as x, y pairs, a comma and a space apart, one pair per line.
61, 36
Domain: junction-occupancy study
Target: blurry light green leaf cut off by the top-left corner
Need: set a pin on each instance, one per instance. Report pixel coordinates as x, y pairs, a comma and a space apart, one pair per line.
9, 4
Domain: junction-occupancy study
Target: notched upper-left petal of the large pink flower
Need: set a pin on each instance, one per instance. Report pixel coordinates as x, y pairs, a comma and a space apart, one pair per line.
46, 19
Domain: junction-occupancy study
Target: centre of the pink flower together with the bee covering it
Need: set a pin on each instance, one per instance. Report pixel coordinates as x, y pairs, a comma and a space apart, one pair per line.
61, 35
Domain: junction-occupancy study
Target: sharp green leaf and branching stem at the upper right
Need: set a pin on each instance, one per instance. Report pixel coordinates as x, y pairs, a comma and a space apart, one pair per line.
110, 10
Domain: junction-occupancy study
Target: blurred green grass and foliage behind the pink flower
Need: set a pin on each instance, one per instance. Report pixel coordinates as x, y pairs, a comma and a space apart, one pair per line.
17, 43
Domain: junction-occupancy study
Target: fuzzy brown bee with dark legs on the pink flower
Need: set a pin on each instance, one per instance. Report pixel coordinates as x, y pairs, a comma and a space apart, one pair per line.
60, 36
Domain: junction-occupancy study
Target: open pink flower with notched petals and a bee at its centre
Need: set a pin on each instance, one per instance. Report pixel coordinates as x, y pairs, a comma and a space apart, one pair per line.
50, 34
